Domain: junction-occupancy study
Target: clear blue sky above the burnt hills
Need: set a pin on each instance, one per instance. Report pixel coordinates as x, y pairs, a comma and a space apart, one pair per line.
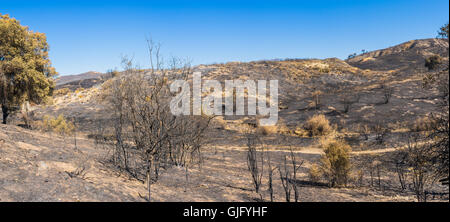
93, 35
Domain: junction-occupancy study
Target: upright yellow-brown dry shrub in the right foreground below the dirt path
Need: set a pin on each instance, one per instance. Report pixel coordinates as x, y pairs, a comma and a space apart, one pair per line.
335, 163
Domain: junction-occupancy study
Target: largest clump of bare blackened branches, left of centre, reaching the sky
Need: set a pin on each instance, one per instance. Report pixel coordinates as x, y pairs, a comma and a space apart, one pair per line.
148, 137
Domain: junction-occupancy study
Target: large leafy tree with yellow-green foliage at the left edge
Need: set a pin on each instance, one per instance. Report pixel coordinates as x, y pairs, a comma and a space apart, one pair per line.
26, 73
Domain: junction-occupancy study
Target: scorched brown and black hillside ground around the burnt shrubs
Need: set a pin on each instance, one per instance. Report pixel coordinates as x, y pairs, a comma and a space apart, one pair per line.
33, 162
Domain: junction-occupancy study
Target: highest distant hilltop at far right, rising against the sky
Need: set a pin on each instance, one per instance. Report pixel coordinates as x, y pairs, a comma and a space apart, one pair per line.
406, 56
